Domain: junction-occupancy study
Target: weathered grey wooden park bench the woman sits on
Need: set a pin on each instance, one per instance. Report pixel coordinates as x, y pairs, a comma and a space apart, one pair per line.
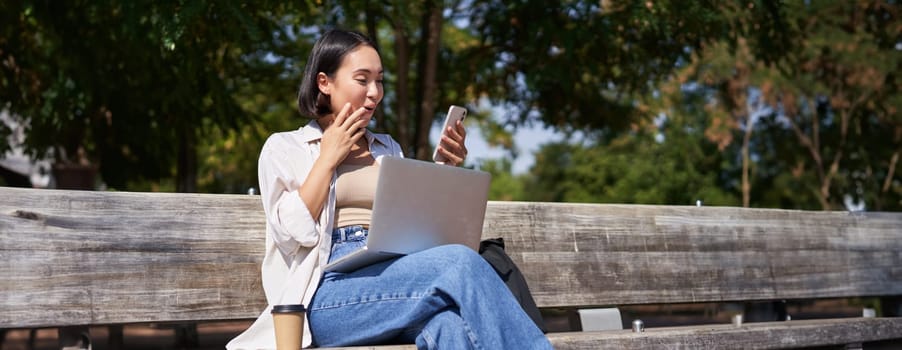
113, 258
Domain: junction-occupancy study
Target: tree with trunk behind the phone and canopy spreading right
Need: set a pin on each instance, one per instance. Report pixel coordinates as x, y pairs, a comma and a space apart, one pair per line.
522, 54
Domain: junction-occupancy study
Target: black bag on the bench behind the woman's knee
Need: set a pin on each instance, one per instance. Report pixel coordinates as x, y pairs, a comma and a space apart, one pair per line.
492, 250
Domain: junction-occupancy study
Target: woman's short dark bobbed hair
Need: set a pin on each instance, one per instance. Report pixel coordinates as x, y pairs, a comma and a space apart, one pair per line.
326, 57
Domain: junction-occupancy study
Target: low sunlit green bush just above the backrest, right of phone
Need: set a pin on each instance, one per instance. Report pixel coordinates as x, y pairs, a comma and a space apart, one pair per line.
670, 165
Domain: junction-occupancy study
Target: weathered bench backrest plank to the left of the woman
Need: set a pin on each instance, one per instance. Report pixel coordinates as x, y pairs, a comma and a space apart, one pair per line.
110, 257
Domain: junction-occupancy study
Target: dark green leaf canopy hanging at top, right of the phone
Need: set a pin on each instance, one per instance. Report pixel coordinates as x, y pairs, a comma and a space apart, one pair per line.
575, 65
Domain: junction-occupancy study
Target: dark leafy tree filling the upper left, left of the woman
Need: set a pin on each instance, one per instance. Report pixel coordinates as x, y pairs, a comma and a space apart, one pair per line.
128, 86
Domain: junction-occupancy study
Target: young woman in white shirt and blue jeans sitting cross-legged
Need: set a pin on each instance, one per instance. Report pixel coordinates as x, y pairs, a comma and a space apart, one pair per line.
318, 184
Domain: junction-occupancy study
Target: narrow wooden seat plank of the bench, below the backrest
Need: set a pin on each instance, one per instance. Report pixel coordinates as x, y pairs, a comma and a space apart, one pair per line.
765, 335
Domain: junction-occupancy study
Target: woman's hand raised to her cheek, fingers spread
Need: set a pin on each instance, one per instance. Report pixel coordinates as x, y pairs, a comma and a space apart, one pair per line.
342, 133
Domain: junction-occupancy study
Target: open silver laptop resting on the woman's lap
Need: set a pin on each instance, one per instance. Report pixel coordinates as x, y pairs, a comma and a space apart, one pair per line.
420, 205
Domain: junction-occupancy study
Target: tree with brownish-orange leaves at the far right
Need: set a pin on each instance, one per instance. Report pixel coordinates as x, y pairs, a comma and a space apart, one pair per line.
833, 90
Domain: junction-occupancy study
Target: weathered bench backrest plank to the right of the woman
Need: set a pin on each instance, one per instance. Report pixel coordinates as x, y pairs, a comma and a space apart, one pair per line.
590, 254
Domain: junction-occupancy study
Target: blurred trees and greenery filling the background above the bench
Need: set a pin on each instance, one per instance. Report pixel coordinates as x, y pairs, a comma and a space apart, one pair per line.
776, 104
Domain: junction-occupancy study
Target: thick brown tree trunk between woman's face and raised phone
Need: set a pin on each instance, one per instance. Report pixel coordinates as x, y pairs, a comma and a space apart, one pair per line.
432, 30
